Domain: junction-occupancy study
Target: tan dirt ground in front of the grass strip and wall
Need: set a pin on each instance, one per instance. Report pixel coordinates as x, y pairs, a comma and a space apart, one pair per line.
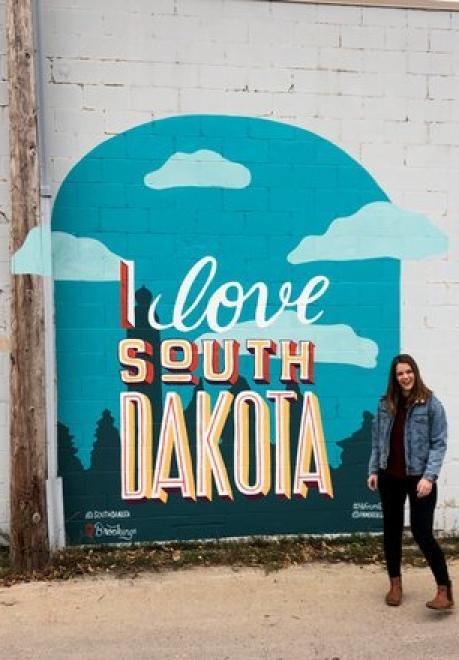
324, 611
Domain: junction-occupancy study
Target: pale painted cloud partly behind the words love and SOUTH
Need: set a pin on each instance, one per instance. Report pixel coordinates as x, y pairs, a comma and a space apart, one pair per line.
334, 343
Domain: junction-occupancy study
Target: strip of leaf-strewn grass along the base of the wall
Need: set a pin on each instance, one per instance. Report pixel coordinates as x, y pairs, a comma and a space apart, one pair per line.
266, 553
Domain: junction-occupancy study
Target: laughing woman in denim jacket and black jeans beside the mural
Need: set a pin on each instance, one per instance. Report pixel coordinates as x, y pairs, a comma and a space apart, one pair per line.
408, 446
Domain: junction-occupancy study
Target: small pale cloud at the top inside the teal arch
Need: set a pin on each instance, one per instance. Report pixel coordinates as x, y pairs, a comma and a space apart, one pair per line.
201, 169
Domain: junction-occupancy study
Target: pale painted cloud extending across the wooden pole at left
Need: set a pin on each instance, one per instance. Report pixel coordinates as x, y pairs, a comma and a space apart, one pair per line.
66, 257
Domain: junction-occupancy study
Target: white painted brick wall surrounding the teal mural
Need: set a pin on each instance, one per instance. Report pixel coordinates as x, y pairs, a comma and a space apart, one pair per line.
382, 83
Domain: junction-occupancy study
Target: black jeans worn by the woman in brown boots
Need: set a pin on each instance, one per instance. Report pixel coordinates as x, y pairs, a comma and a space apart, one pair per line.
393, 492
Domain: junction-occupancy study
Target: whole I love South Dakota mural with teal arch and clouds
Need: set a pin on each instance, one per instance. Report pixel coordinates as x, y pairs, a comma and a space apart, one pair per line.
227, 303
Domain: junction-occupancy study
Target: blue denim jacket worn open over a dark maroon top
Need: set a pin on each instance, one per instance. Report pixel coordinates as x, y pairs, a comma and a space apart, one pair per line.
424, 439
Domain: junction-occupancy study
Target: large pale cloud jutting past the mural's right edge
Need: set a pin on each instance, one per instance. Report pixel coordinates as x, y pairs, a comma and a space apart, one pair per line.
377, 230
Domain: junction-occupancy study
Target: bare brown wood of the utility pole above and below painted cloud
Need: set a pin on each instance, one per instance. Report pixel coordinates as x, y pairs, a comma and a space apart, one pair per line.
29, 535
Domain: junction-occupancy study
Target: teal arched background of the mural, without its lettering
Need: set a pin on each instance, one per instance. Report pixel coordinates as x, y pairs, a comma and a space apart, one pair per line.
261, 199
